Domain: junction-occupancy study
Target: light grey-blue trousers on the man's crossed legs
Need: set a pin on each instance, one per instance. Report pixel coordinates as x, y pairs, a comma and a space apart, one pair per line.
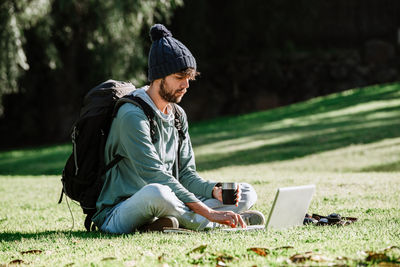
155, 201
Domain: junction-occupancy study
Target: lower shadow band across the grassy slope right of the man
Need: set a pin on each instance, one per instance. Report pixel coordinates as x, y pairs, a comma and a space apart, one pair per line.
313, 143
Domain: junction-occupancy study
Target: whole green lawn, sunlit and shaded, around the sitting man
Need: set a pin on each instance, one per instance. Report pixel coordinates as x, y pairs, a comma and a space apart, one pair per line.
348, 144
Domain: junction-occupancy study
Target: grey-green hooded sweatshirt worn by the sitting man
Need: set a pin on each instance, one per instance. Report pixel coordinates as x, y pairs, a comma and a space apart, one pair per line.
145, 162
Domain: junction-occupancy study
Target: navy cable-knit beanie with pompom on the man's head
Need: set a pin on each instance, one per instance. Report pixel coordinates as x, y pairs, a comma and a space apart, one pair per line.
167, 55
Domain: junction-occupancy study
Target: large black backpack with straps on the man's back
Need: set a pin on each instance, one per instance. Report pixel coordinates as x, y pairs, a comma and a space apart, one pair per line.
81, 177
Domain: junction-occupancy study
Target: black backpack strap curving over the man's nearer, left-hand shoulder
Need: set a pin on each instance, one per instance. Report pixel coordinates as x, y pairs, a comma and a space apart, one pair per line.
148, 111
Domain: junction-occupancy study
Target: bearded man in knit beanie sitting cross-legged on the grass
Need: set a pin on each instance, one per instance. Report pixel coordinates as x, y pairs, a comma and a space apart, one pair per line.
144, 191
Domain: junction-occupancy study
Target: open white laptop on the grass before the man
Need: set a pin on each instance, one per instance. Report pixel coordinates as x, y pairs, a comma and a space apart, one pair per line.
288, 209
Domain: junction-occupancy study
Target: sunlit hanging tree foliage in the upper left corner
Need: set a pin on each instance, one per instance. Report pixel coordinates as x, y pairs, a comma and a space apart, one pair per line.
111, 29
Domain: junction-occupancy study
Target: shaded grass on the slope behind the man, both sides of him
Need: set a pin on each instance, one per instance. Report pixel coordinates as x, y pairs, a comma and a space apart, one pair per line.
311, 125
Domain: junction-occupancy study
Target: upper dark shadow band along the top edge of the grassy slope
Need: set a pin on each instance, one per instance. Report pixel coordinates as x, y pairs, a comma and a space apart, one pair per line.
228, 128
